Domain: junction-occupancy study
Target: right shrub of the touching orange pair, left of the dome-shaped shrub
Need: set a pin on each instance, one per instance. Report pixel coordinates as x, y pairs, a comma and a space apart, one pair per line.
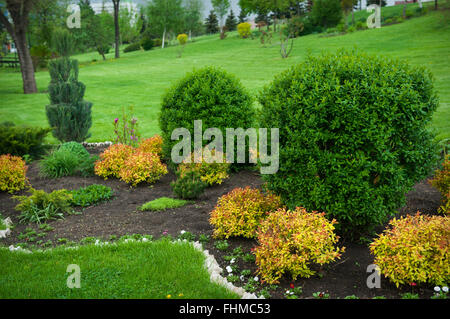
142, 167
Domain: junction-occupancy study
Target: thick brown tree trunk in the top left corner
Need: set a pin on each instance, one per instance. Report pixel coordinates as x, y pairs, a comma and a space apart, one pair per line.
19, 11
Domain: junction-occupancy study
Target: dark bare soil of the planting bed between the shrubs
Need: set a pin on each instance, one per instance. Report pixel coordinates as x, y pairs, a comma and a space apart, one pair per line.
121, 216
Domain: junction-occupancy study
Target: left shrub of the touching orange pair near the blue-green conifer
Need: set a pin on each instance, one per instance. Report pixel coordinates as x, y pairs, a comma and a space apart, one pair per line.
112, 160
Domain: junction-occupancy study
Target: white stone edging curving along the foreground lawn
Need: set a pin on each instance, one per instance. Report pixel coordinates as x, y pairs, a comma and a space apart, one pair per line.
210, 264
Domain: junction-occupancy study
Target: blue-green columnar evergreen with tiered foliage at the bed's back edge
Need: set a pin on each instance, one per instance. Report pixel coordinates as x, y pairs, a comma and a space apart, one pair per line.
68, 114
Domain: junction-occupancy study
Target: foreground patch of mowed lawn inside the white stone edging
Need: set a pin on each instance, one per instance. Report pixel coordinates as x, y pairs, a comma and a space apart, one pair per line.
152, 270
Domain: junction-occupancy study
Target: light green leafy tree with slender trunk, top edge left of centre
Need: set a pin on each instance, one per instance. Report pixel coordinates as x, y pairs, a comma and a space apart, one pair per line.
165, 16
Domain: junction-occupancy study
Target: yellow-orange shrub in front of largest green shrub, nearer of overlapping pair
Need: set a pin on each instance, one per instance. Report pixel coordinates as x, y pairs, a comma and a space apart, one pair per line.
290, 242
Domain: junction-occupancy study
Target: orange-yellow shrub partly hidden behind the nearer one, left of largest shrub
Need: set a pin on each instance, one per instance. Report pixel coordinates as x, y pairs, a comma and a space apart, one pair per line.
240, 212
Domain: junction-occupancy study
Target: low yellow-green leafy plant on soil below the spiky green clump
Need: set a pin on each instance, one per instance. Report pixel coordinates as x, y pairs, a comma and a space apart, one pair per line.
41, 206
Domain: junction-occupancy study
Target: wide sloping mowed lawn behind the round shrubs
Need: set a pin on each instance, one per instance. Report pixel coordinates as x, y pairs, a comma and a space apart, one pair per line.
140, 79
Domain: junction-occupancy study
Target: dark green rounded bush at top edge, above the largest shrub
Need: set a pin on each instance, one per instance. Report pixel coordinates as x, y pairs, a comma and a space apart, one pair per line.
326, 13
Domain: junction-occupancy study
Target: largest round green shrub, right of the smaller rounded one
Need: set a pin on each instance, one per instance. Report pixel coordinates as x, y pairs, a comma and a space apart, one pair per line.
353, 137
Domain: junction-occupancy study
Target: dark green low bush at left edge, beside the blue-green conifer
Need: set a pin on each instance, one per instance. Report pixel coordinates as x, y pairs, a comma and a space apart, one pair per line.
23, 140
